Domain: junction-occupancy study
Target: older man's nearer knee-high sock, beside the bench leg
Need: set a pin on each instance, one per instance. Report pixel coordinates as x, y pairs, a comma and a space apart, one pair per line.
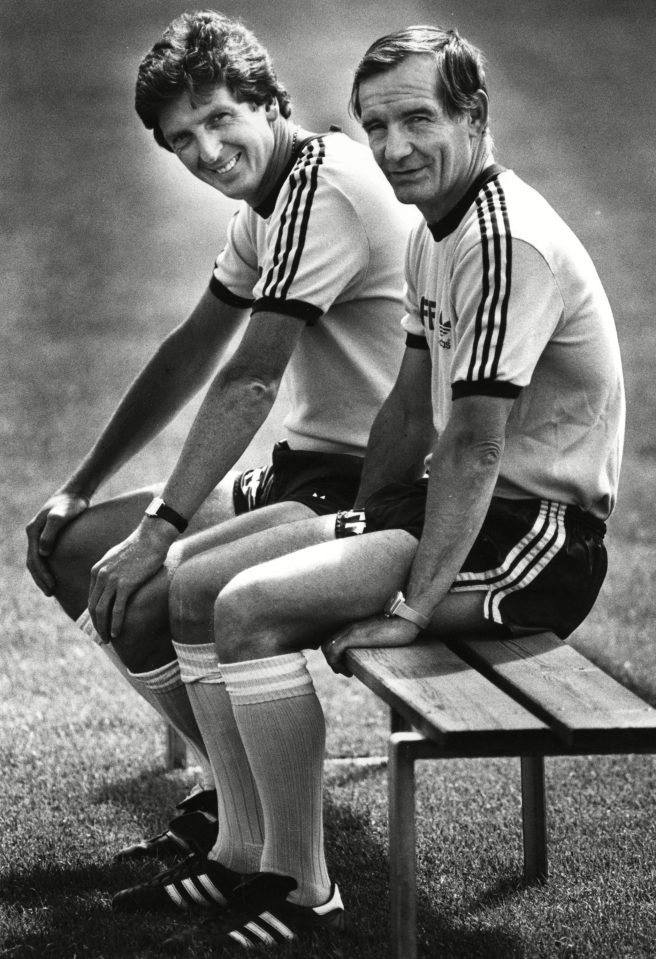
283, 731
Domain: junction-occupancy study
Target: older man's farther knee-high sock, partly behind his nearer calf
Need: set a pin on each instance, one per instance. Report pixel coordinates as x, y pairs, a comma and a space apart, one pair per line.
239, 843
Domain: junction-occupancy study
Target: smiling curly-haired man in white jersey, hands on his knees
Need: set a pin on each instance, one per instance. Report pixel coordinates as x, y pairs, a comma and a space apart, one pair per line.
310, 283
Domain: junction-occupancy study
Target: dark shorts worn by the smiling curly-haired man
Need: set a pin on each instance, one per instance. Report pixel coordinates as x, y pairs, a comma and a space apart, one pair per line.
326, 482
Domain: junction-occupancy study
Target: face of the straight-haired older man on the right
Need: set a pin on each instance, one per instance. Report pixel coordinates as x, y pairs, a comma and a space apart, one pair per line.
429, 157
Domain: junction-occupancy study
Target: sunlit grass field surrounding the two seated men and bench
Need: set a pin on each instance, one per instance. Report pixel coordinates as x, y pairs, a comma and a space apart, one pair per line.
107, 245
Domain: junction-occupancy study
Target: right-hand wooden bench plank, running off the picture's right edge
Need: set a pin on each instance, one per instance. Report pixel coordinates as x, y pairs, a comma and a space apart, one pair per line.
587, 708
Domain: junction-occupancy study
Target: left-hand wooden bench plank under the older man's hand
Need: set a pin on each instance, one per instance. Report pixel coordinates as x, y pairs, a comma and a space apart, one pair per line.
449, 701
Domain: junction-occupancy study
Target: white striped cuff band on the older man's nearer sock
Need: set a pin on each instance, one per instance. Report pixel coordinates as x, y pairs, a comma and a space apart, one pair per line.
263, 680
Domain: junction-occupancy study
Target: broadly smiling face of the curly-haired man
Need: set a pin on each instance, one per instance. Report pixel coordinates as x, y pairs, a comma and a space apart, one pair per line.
226, 143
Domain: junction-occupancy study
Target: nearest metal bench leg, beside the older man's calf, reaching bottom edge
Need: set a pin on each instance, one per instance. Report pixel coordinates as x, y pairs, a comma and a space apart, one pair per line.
403, 895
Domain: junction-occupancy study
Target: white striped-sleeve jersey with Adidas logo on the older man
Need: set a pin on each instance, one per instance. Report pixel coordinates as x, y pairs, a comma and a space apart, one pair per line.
510, 304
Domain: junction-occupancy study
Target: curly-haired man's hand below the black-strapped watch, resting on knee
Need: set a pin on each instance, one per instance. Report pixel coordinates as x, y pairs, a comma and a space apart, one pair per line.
122, 570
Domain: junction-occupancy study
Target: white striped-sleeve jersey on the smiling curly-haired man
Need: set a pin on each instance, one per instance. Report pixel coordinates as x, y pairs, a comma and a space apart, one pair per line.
326, 248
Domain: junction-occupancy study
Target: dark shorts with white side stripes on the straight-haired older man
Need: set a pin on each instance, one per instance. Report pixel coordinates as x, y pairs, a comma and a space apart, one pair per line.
540, 563
